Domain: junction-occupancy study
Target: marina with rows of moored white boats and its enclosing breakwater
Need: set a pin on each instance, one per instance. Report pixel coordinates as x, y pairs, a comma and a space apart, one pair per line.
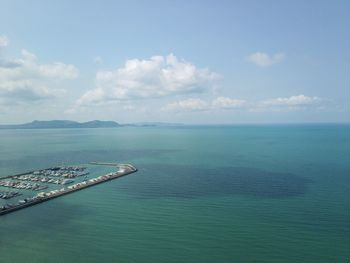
55, 175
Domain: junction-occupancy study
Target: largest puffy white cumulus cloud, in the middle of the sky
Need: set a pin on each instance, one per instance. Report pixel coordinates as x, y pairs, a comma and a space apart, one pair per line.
159, 76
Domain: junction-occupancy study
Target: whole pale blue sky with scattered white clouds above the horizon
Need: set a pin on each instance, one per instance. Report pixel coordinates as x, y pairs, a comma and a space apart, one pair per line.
195, 62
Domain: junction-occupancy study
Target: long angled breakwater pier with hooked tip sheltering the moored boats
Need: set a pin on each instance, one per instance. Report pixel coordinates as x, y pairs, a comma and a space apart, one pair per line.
124, 169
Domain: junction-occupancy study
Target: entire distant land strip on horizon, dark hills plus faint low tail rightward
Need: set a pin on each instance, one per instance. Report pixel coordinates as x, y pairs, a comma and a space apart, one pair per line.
63, 124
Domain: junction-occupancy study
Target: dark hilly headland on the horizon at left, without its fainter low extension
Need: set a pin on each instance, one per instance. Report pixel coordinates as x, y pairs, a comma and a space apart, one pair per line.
62, 124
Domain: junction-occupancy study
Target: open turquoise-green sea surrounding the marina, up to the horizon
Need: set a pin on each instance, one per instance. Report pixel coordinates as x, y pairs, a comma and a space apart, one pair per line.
202, 194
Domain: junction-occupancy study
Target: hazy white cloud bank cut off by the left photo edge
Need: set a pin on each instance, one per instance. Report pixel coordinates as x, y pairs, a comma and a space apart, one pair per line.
25, 79
